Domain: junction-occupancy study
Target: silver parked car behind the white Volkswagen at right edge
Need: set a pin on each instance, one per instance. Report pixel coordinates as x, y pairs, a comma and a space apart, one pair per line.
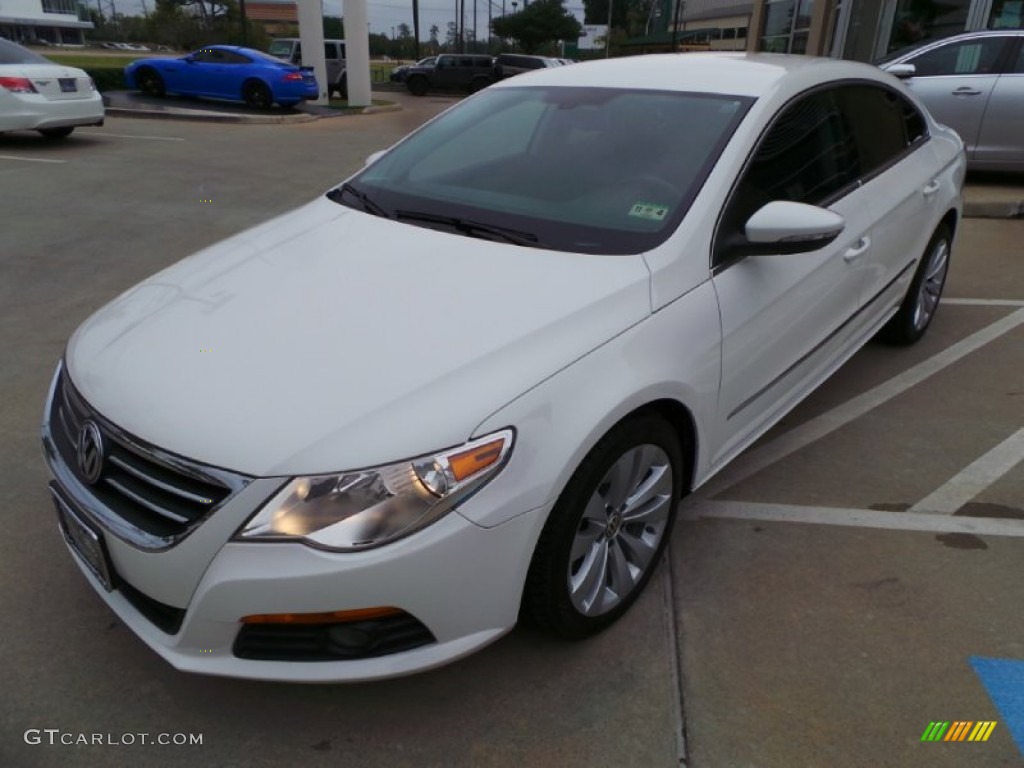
974, 83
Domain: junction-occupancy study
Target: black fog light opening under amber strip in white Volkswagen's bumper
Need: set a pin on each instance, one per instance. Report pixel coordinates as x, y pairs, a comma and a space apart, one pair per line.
332, 643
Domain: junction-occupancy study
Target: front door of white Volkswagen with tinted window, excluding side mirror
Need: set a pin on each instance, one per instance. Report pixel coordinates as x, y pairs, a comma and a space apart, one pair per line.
785, 317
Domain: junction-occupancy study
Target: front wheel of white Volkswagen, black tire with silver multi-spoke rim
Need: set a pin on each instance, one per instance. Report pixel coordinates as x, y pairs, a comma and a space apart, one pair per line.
588, 521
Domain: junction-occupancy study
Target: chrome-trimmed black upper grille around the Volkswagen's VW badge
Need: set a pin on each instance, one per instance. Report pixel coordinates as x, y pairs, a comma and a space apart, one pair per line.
158, 493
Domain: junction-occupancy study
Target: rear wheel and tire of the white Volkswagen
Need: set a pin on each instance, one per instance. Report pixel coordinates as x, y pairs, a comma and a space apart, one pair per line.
922, 301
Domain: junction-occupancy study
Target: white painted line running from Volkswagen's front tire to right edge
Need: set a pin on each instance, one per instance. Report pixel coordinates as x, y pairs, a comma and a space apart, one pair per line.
861, 519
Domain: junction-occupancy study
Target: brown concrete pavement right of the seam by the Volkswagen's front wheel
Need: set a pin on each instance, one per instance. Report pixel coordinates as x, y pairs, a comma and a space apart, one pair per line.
836, 583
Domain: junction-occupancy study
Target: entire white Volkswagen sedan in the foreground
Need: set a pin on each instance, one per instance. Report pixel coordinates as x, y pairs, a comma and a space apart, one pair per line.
472, 383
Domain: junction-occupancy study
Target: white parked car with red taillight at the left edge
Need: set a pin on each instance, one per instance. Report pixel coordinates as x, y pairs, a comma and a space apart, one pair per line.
37, 95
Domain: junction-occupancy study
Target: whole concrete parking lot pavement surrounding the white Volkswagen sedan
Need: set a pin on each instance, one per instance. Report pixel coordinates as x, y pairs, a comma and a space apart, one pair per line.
822, 606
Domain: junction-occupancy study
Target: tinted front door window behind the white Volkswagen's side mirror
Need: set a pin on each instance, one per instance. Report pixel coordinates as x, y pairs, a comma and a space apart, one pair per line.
809, 155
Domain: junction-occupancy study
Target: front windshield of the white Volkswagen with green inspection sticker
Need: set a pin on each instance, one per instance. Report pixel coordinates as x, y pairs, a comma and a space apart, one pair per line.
586, 170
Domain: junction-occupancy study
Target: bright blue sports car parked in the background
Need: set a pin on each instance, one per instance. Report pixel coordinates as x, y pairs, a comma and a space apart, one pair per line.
225, 72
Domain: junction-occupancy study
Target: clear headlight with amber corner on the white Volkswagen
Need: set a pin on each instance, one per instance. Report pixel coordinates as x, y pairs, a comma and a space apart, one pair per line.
371, 507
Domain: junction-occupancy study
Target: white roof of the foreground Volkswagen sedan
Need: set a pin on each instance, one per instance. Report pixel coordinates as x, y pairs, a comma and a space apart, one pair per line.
735, 74
